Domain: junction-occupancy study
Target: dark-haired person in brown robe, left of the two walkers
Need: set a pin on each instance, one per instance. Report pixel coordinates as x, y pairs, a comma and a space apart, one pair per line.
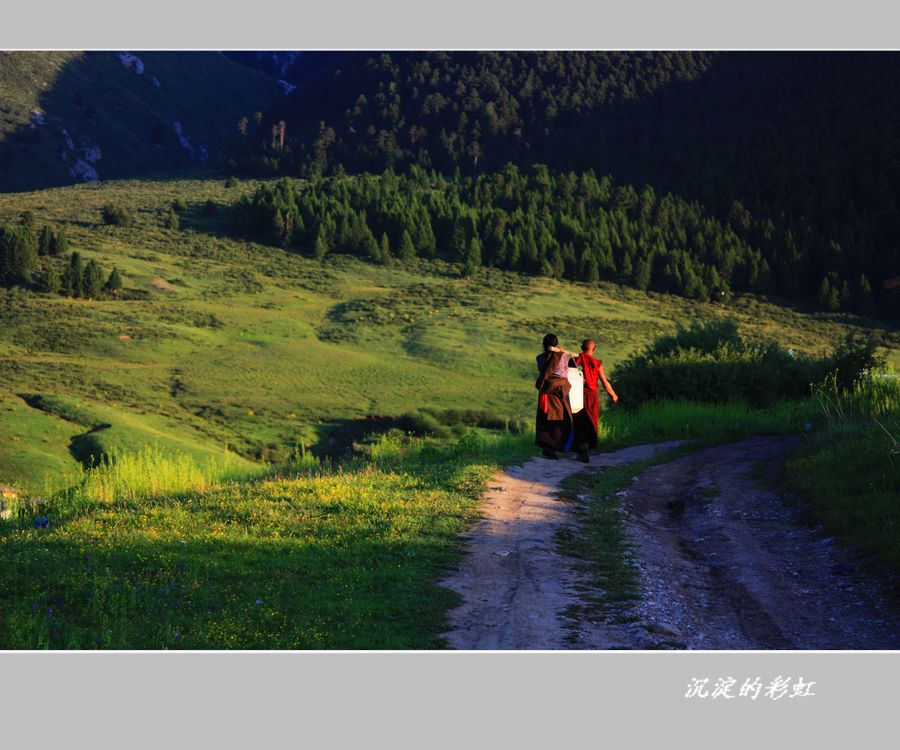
554, 422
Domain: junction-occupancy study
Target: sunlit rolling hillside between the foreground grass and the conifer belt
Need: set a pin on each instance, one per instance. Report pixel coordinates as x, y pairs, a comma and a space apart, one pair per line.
228, 345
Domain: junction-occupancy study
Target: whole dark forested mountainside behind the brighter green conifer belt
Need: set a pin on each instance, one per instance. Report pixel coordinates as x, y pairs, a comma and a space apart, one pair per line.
796, 152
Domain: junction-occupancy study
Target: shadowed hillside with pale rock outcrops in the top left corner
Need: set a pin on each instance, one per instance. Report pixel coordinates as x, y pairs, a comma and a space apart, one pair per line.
100, 102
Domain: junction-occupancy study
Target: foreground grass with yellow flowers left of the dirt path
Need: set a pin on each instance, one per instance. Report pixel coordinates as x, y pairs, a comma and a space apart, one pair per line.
321, 557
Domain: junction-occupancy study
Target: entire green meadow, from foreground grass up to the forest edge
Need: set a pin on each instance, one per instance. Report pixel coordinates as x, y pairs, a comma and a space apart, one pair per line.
179, 436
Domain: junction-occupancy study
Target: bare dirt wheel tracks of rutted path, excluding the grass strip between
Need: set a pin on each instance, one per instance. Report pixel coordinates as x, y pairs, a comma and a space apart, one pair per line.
724, 563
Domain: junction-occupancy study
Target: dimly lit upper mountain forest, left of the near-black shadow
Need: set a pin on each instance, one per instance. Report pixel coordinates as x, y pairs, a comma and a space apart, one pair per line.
445, 110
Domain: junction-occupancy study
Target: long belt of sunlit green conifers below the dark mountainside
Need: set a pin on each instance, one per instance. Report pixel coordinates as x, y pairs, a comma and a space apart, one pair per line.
575, 226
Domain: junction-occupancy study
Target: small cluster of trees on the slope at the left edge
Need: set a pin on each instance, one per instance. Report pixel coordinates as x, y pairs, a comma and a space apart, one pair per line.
38, 259
